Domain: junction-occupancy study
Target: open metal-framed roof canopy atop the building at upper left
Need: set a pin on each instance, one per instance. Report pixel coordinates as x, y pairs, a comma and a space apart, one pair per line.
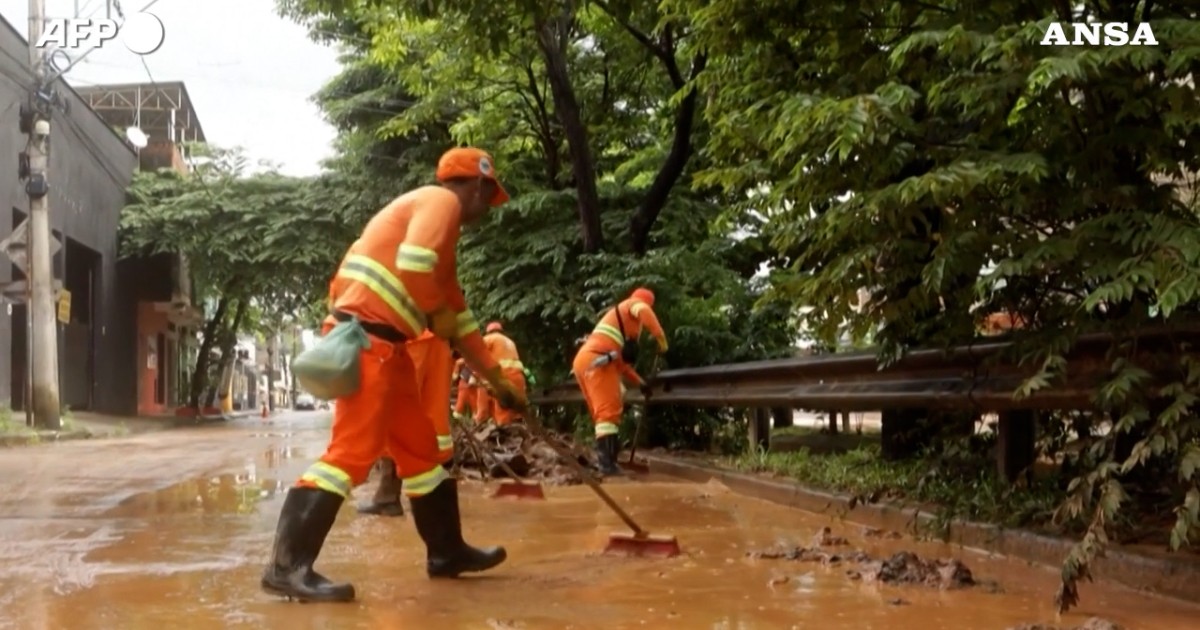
164, 111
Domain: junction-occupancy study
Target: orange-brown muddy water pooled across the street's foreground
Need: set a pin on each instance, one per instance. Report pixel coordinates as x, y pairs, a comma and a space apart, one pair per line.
194, 572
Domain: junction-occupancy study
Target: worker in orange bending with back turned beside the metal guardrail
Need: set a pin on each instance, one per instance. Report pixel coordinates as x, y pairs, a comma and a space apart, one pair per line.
605, 357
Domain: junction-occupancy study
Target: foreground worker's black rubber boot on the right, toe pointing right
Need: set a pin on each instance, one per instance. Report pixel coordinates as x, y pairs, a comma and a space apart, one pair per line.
441, 527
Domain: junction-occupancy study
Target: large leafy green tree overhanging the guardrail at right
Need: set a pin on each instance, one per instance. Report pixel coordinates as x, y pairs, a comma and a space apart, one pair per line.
937, 155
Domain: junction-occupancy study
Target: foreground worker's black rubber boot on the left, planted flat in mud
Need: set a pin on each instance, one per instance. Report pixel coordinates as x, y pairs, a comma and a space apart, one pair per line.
305, 521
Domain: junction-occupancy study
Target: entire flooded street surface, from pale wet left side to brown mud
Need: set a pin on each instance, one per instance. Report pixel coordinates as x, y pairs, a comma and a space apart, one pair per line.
172, 530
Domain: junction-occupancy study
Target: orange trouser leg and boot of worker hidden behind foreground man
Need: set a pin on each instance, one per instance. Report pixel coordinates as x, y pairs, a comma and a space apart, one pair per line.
434, 362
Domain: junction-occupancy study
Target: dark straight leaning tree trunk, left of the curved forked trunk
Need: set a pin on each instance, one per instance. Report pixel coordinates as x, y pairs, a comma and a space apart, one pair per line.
553, 39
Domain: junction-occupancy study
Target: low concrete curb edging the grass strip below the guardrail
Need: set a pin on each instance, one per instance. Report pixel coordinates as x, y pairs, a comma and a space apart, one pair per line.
1175, 577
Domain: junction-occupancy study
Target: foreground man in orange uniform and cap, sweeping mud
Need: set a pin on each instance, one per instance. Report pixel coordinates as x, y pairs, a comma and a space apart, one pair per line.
399, 279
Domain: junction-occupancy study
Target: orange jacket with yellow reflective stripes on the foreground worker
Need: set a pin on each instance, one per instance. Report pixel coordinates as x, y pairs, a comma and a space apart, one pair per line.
404, 267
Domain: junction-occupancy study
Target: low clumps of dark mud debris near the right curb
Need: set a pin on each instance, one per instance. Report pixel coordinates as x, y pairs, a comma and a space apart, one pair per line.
903, 568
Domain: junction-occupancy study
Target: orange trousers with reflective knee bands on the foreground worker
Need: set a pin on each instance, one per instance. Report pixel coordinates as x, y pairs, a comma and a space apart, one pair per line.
386, 416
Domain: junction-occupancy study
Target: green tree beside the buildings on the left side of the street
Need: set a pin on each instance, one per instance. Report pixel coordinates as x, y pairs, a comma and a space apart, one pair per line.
261, 247
